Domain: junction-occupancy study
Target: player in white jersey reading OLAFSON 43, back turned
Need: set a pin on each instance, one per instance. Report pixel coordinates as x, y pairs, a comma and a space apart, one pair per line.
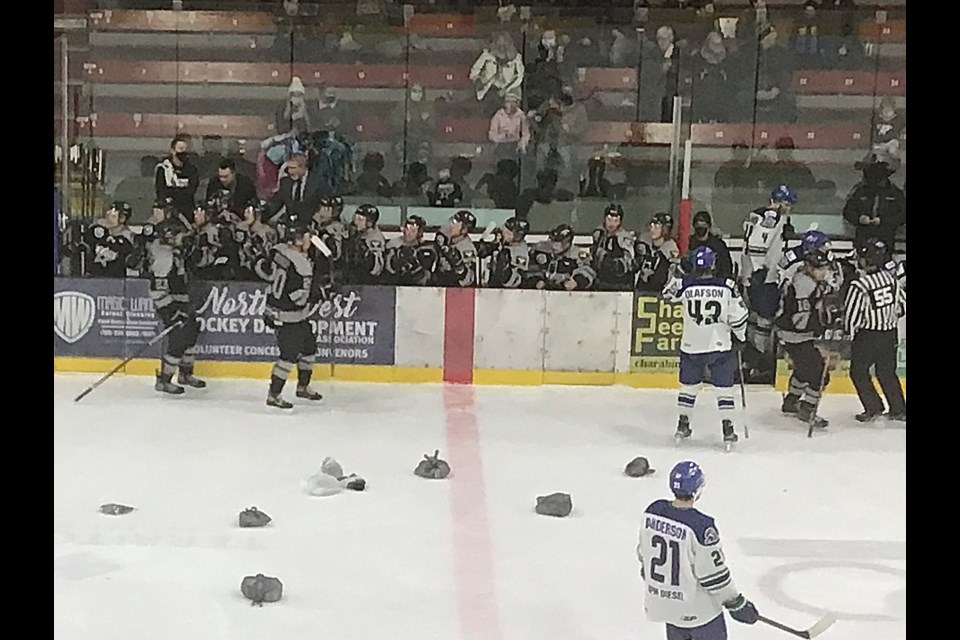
712, 312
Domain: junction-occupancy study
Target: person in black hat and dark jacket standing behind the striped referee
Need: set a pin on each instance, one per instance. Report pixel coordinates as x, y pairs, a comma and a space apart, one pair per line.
875, 206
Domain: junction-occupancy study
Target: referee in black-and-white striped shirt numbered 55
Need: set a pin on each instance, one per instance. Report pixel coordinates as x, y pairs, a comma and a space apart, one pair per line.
875, 302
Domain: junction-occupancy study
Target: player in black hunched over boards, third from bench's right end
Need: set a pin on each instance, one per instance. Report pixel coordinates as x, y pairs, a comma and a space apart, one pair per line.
556, 263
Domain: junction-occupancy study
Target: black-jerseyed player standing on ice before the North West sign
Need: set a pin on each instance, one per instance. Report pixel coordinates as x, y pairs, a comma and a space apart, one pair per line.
291, 300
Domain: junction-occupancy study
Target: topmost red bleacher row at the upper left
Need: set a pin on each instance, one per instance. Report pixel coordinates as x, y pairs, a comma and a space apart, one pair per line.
212, 21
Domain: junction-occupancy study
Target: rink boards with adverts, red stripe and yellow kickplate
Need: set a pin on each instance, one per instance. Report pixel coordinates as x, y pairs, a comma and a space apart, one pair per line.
399, 334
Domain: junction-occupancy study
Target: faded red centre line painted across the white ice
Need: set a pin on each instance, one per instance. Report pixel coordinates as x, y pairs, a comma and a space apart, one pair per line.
472, 544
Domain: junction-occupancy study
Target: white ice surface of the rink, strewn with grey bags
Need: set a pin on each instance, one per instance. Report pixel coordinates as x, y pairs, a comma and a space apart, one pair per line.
808, 525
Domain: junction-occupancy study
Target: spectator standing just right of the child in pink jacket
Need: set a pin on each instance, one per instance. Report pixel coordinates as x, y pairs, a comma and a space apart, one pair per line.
558, 126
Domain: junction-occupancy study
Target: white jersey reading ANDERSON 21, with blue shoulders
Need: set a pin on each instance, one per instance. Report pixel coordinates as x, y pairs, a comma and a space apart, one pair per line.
683, 566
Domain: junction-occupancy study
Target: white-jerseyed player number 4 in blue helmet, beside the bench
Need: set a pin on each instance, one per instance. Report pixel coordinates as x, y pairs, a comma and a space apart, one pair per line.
763, 232
